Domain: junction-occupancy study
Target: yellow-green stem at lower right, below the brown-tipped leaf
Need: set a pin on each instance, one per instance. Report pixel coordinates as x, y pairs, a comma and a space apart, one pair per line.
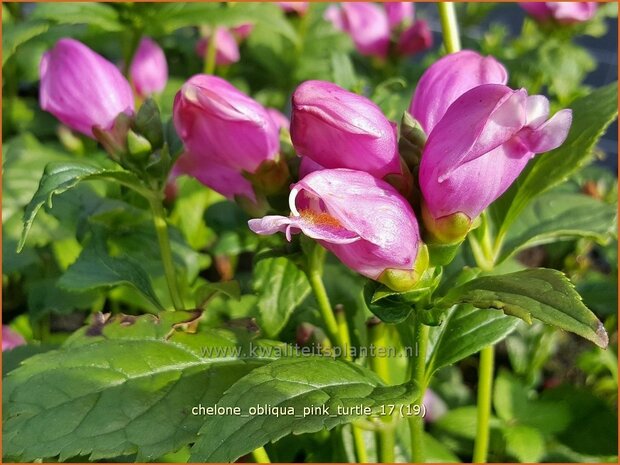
485, 385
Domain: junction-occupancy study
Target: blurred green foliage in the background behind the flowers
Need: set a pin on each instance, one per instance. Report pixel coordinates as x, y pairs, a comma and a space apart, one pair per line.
547, 382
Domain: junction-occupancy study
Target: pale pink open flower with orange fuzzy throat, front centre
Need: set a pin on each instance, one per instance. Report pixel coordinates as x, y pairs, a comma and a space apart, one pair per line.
360, 218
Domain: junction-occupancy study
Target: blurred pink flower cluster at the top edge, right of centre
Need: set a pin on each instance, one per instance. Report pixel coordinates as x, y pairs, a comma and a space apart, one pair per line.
373, 27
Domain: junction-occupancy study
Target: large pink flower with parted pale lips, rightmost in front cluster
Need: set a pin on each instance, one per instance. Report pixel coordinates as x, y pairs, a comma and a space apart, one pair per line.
480, 147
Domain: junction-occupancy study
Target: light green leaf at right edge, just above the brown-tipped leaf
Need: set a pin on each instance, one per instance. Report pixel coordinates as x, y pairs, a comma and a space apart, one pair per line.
559, 215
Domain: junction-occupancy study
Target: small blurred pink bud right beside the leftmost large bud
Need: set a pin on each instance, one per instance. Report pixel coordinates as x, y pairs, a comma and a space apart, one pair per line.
149, 70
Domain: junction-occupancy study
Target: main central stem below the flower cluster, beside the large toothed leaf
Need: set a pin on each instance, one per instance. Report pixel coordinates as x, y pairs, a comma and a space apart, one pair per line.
418, 375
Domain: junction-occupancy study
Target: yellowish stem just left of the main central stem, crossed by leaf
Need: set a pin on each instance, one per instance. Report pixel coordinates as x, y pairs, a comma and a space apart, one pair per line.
386, 442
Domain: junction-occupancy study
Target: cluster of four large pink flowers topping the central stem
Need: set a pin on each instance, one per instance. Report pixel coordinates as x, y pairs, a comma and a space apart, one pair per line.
481, 134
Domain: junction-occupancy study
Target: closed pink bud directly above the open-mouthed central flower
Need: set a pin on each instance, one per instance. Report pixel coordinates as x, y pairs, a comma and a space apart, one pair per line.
340, 129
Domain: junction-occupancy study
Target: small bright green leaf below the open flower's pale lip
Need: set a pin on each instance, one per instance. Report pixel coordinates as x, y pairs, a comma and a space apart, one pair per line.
281, 285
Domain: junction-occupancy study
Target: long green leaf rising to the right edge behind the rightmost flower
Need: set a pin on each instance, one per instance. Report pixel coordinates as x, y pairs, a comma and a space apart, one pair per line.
591, 116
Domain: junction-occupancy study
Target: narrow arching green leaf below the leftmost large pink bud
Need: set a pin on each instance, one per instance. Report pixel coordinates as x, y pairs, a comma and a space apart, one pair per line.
60, 177
